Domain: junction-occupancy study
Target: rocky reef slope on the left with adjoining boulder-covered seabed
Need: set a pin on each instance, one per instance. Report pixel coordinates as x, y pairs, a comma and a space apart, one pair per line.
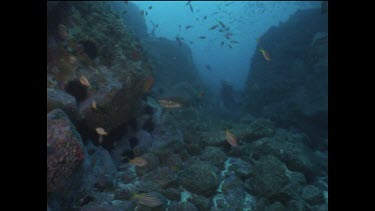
187, 163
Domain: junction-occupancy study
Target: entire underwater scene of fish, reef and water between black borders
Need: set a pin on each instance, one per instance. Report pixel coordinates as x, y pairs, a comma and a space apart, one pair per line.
187, 105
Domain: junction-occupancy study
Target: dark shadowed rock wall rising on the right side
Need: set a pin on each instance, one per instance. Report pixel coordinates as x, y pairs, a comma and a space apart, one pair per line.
292, 88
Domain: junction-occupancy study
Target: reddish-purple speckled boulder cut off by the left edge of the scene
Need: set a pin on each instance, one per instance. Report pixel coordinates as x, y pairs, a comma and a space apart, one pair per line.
65, 151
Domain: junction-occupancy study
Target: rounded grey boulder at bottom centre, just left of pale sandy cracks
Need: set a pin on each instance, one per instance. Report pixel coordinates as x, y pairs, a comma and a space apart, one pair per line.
201, 178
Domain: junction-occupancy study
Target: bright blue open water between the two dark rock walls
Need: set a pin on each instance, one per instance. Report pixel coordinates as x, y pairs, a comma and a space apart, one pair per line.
247, 21
